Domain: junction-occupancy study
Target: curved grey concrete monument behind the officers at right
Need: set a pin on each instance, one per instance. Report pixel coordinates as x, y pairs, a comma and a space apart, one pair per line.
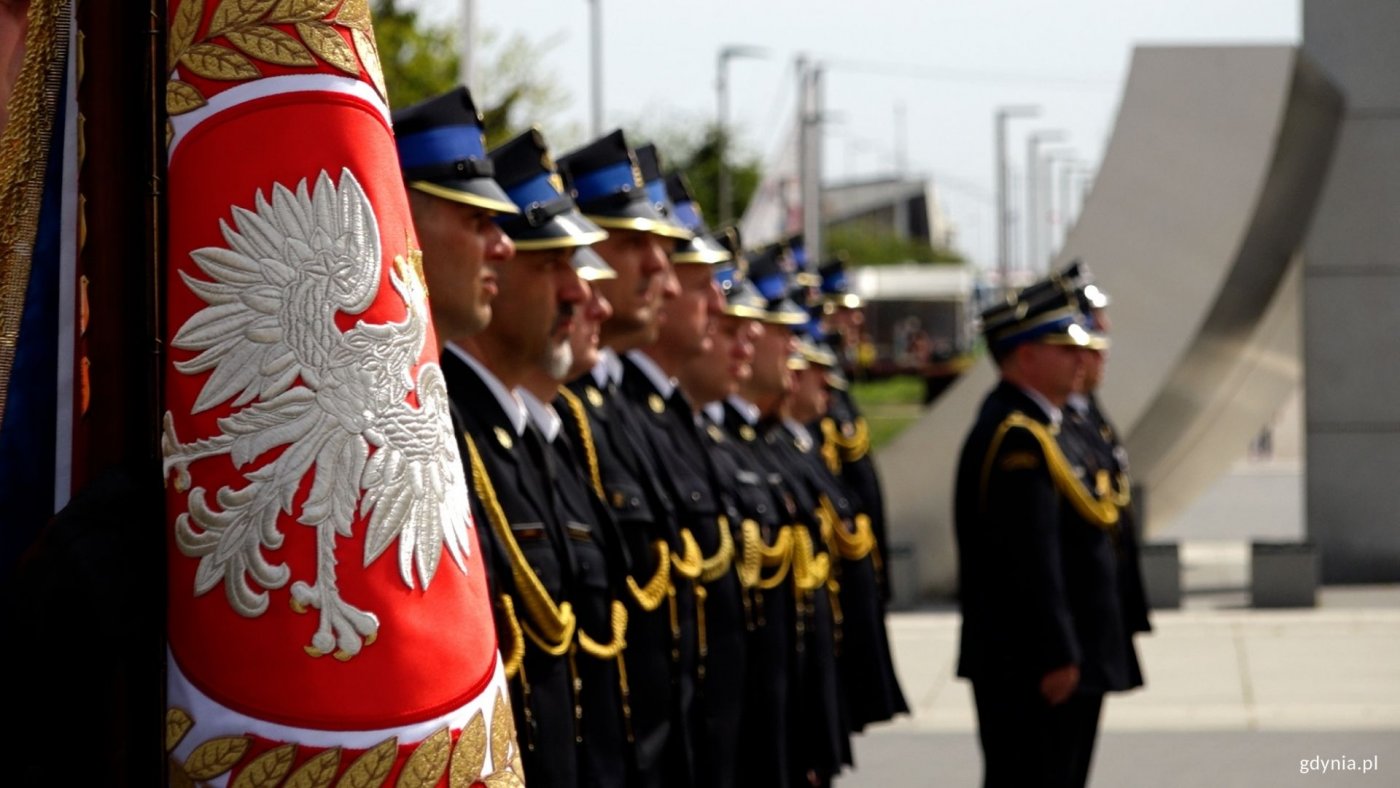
1205, 194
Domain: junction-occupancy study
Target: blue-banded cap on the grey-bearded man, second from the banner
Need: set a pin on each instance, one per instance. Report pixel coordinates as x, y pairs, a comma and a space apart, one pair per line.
548, 218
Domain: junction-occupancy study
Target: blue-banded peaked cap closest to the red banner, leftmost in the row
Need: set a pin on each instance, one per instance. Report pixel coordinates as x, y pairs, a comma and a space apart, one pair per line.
443, 152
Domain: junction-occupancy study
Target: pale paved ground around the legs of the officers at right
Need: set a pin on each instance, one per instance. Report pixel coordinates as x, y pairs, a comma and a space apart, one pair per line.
1235, 698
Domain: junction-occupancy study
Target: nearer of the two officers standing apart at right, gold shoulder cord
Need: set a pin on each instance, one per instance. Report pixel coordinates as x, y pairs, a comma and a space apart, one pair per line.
1044, 635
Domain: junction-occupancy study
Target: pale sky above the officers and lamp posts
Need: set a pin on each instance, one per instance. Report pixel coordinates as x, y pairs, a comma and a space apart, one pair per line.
948, 65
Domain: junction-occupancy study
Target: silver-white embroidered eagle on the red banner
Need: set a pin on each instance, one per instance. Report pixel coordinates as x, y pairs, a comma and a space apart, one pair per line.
334, 401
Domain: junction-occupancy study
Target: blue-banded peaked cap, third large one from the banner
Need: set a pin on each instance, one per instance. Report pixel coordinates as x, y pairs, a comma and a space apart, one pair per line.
605, 181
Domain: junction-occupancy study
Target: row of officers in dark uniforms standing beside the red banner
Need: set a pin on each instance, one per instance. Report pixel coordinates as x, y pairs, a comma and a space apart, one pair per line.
671, 488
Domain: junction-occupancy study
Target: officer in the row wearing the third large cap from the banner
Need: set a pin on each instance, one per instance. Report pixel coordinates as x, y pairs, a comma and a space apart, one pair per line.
661, 633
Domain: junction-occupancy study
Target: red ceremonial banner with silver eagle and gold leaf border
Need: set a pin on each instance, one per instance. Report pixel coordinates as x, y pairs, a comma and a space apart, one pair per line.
328, 608
